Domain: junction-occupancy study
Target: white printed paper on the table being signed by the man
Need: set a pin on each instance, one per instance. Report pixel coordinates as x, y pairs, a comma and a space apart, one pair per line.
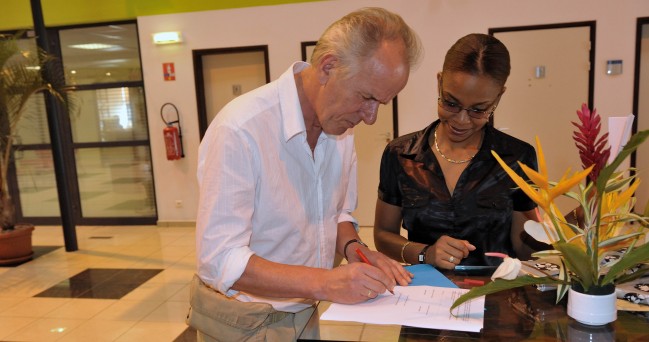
414, 306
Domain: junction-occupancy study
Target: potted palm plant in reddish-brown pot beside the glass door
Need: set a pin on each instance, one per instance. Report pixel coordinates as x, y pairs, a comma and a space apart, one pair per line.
21, 77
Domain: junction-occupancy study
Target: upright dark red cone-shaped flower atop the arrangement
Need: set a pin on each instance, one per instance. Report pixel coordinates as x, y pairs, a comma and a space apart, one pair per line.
592, 150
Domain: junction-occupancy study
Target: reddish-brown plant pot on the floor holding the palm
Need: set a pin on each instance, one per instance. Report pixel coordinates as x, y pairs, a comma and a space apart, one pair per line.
16, 244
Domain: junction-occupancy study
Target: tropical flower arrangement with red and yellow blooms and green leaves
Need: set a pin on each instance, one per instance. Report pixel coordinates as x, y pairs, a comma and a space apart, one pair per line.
605, 205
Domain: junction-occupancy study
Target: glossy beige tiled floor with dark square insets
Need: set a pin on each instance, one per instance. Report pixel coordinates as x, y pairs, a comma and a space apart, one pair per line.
126, 283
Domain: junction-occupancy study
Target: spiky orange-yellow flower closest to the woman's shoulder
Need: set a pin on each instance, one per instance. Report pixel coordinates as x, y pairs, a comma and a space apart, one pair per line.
545, 194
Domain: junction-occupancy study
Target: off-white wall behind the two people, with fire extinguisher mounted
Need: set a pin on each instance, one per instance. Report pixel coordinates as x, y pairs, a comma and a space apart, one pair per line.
439, 23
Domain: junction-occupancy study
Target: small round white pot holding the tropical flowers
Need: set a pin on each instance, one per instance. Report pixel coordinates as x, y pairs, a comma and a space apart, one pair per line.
592, 309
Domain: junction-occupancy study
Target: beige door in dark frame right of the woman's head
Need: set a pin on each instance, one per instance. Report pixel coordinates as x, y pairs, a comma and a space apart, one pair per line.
551, 76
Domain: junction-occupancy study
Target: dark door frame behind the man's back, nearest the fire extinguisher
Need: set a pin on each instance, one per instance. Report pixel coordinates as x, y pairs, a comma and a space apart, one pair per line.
197, 56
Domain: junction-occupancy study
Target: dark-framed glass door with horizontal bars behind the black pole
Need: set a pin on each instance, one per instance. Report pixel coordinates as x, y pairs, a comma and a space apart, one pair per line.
108, 134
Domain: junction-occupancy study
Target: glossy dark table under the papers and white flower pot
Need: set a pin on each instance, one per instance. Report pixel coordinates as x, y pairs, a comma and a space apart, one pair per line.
519, 314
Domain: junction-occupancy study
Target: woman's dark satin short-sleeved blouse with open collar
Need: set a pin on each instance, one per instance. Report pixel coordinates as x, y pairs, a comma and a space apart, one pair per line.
479, 210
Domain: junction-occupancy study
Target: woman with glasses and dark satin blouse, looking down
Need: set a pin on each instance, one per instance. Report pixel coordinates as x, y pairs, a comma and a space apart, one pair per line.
443, 184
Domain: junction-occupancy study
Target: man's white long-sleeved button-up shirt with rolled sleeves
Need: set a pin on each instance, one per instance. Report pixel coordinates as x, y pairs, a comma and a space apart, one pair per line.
263, 192
